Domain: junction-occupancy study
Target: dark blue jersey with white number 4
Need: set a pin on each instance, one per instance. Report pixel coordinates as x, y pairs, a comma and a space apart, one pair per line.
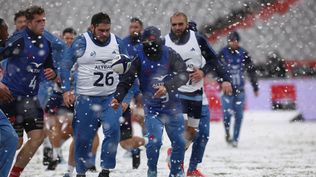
28, 55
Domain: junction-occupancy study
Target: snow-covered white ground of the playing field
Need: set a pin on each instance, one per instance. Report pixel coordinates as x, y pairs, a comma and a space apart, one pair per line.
270, 146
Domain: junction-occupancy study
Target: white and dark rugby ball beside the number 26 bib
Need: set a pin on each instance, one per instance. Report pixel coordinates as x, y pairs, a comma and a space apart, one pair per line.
121, 64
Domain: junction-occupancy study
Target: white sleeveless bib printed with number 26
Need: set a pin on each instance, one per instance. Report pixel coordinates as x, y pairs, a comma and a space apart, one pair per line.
95, 75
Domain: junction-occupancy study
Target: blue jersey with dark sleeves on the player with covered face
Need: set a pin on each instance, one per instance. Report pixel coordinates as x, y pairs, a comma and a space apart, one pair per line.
168, 70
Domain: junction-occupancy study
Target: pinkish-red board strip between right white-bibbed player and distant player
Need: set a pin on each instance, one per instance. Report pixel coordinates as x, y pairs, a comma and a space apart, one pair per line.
213, 94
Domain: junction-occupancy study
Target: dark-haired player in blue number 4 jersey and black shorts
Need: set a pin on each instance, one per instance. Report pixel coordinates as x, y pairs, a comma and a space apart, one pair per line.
24, 69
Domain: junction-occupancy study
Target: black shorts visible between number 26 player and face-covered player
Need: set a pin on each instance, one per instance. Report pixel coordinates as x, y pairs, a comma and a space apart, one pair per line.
126, 125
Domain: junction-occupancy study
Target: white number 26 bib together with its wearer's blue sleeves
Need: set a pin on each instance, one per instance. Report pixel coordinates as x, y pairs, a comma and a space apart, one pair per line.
95, 76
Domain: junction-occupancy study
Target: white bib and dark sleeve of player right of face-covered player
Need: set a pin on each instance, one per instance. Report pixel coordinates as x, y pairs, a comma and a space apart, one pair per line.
196, 52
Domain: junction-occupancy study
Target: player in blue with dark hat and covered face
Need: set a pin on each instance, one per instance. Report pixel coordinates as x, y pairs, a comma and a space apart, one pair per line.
160, 71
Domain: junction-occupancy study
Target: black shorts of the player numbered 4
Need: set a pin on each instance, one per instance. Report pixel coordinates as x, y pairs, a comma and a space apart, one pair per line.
24, 113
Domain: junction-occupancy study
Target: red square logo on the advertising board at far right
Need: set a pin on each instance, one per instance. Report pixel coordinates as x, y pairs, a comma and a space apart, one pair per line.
283, 96
